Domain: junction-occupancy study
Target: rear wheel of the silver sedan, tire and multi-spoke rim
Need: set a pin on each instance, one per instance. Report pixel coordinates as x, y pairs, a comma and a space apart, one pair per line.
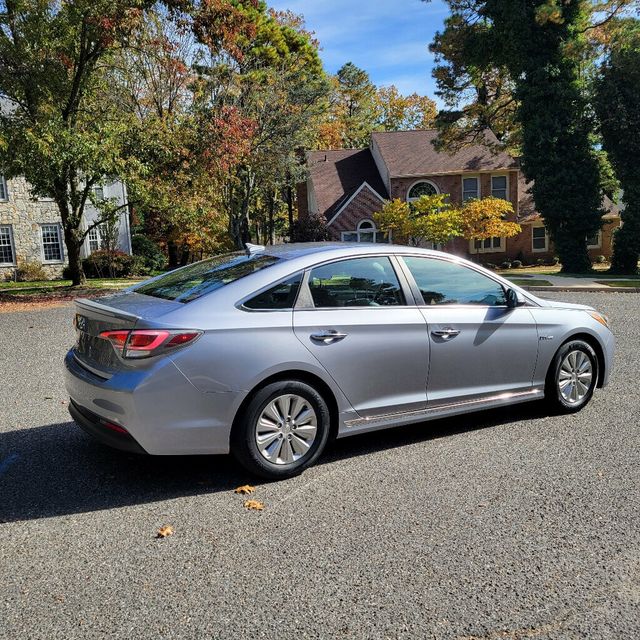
282, 431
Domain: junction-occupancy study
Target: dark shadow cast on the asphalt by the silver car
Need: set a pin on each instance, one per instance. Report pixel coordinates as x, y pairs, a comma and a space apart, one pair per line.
57, 470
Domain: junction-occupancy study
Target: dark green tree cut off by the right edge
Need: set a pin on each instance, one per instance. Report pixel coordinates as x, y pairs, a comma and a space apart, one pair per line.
617, 100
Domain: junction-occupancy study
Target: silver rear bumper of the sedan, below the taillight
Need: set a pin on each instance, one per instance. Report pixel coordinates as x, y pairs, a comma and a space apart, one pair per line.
161, 410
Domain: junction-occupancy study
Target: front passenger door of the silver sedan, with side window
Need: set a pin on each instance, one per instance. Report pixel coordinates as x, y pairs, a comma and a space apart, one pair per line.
479, 347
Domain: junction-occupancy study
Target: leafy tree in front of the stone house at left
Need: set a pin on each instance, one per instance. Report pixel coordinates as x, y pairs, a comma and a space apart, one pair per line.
60, 128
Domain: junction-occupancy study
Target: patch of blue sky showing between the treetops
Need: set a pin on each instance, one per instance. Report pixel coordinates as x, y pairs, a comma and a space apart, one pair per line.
387, 38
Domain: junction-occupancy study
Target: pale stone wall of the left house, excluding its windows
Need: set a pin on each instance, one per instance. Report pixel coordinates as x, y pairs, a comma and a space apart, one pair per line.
24, 218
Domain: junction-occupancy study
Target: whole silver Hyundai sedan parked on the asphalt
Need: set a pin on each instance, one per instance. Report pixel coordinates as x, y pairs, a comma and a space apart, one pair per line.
271, 352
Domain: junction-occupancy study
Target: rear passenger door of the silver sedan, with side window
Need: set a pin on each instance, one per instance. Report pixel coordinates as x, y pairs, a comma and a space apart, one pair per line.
357, 324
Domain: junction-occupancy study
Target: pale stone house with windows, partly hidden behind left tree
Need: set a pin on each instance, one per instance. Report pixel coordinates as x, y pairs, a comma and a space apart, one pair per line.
31, 230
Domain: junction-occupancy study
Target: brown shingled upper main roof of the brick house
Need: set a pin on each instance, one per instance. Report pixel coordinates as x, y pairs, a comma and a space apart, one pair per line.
411, 153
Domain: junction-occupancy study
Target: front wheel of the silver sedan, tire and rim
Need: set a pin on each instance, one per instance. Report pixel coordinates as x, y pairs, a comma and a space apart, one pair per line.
572, 377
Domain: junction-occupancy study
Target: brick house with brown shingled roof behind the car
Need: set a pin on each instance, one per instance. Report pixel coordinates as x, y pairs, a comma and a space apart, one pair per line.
347, 186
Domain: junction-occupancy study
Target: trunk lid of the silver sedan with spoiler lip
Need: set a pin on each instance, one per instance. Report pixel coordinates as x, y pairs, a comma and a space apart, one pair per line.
122, 311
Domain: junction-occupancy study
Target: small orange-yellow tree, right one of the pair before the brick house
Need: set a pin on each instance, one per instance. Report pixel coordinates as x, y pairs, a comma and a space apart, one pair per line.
486, 218
